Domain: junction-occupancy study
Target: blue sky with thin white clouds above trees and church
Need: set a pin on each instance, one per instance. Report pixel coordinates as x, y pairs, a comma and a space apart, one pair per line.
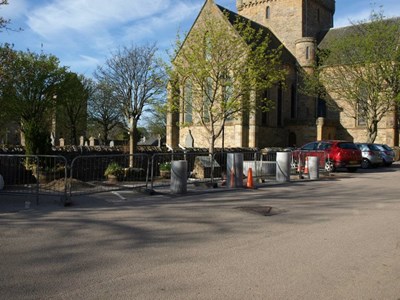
84, 33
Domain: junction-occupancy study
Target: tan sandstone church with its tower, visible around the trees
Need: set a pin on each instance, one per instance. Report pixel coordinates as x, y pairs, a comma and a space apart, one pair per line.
301, 26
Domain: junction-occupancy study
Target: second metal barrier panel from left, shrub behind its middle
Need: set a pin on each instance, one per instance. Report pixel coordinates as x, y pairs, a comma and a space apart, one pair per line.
101, 173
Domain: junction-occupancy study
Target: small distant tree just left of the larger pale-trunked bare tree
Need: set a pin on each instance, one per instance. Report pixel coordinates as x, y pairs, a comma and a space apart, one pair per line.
103, 109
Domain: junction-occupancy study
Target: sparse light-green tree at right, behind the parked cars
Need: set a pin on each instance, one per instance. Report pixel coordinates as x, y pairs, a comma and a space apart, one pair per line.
359, 72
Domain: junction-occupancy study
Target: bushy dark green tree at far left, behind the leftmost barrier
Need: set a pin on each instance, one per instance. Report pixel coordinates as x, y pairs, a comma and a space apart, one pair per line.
30, 83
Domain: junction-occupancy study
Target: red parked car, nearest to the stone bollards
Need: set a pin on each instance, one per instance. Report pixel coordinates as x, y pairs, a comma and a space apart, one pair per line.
333, 154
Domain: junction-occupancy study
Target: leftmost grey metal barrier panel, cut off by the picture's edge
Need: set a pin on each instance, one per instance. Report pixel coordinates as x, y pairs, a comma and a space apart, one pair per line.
34, 174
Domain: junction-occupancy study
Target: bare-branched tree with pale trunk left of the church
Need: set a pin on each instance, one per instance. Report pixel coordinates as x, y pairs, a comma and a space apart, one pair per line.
137, 77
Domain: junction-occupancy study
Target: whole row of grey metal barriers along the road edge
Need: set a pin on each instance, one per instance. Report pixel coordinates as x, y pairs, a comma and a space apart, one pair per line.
54, 175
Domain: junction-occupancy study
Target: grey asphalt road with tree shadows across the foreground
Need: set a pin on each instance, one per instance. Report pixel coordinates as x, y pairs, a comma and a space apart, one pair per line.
328, 239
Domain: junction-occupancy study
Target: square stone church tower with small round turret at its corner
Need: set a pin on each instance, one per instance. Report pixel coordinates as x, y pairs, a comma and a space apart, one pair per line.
298, 24
